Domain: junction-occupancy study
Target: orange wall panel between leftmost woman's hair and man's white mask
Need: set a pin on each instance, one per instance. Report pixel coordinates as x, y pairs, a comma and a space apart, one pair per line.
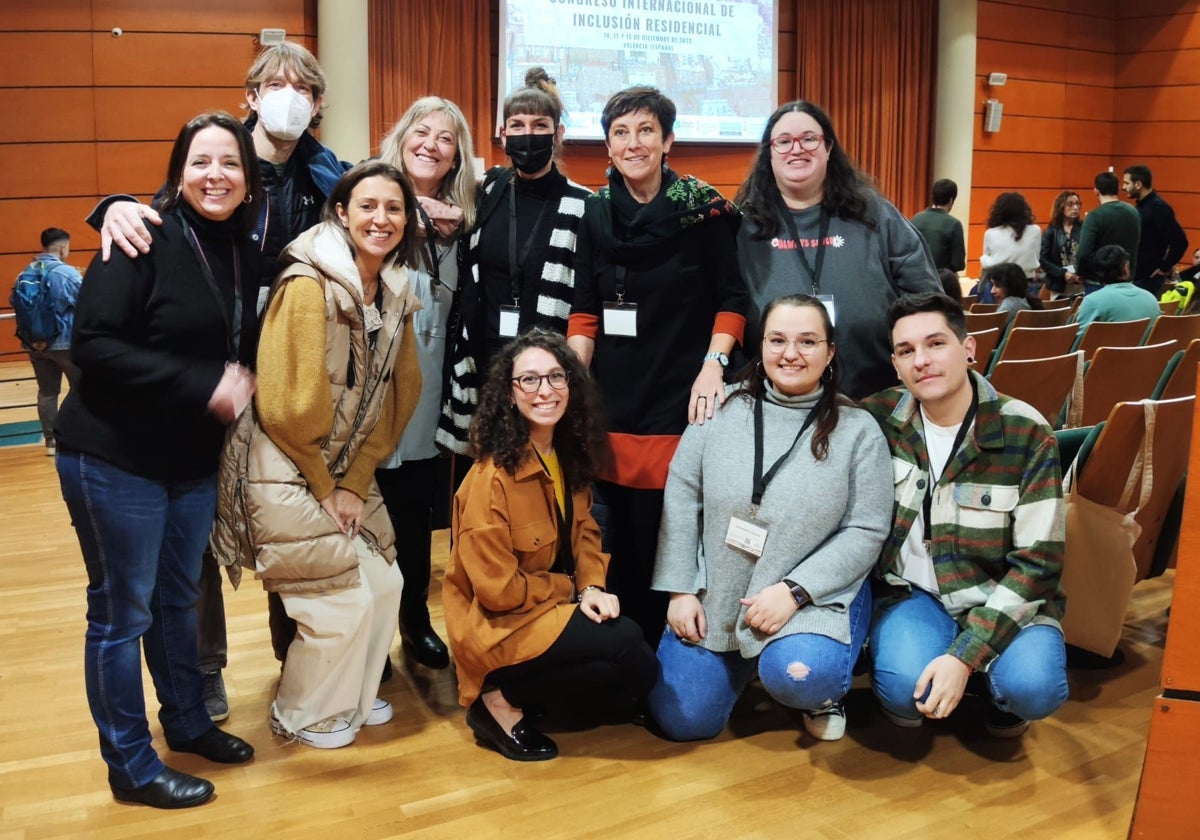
158, 113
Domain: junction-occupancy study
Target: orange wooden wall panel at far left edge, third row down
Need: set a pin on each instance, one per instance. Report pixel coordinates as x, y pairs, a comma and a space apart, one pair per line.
47, 115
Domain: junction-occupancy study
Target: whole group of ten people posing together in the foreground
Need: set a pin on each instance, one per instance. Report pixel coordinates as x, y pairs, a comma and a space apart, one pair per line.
673, 488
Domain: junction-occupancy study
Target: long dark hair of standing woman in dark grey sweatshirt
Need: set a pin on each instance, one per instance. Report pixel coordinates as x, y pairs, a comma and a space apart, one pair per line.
848, 194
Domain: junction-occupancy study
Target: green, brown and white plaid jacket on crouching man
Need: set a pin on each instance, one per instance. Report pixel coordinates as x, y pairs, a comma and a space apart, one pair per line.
998, 520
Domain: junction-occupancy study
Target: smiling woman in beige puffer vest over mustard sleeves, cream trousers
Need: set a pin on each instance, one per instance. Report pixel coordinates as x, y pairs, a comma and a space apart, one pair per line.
339, 380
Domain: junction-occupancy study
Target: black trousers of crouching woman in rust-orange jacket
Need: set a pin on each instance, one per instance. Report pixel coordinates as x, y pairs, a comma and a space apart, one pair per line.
610, 658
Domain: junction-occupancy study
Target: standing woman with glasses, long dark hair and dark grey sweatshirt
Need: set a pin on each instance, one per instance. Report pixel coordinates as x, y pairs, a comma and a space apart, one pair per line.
813, 224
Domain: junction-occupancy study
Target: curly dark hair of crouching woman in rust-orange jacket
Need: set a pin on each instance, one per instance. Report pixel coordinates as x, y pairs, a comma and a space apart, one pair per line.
501, 434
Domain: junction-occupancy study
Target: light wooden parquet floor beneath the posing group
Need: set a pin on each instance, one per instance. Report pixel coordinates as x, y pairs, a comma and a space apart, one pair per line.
423, 777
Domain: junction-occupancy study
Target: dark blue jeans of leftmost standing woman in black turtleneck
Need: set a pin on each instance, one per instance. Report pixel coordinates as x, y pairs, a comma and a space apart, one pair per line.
142, 543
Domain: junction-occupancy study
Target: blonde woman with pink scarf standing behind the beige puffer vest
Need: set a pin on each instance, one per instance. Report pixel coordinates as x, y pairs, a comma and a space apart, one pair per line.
433, 146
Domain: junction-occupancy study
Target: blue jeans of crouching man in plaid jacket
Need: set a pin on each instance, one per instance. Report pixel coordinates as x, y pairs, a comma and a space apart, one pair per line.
1029, 680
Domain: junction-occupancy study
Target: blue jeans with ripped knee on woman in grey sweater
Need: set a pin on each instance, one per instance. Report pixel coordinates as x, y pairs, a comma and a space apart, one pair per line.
698, 688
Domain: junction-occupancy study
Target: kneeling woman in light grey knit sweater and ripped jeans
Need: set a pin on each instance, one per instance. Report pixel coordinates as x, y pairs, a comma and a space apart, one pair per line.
766, 555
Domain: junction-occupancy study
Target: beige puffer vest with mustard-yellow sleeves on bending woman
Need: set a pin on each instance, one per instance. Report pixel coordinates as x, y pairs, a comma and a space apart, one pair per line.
329, 407
